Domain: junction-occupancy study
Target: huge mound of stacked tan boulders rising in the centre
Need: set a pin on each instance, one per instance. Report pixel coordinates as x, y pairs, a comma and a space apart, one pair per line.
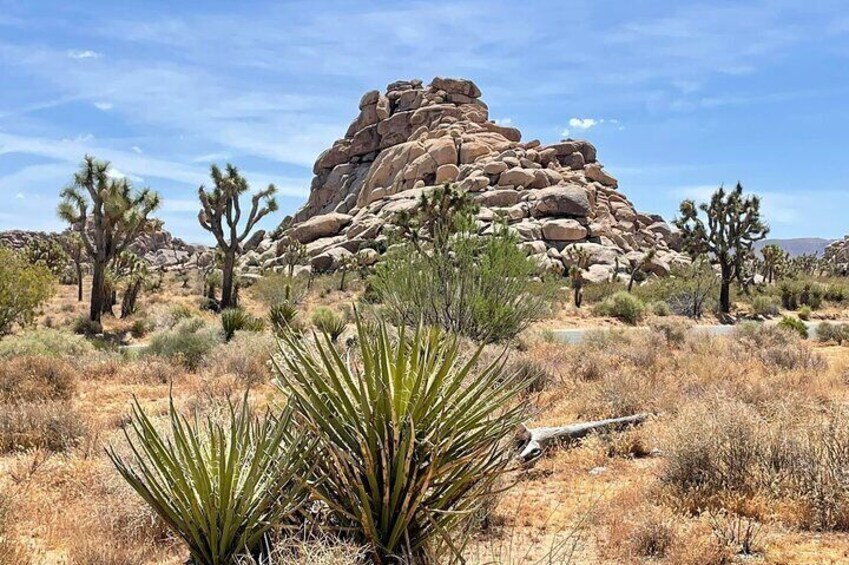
413, 137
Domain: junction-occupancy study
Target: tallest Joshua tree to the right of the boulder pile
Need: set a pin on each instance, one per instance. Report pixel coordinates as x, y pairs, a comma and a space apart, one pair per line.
733, 225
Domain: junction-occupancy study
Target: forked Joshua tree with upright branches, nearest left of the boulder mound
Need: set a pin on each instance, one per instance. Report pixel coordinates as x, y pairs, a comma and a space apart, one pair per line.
221, 213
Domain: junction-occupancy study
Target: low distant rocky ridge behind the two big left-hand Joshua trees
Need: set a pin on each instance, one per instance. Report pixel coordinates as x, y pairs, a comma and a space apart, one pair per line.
160, 248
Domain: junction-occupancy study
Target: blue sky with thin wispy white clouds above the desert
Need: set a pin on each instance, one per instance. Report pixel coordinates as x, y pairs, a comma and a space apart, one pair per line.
677, 96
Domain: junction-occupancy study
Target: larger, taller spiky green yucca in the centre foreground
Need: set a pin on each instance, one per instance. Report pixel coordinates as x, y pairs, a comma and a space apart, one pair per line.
410, 438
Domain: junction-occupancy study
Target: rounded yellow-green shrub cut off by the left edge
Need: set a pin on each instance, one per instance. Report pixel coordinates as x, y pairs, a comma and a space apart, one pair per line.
24, 288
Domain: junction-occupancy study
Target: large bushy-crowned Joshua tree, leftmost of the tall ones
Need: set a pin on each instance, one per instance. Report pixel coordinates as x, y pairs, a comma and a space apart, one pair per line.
109, 215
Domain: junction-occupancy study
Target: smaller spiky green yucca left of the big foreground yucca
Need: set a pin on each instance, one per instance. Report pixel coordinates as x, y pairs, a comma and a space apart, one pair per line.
219, 487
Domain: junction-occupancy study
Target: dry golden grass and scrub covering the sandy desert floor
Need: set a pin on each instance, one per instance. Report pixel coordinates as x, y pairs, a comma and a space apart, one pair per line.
746, 431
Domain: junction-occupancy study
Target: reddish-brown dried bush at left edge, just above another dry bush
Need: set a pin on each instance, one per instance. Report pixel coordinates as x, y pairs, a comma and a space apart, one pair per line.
29, 379
